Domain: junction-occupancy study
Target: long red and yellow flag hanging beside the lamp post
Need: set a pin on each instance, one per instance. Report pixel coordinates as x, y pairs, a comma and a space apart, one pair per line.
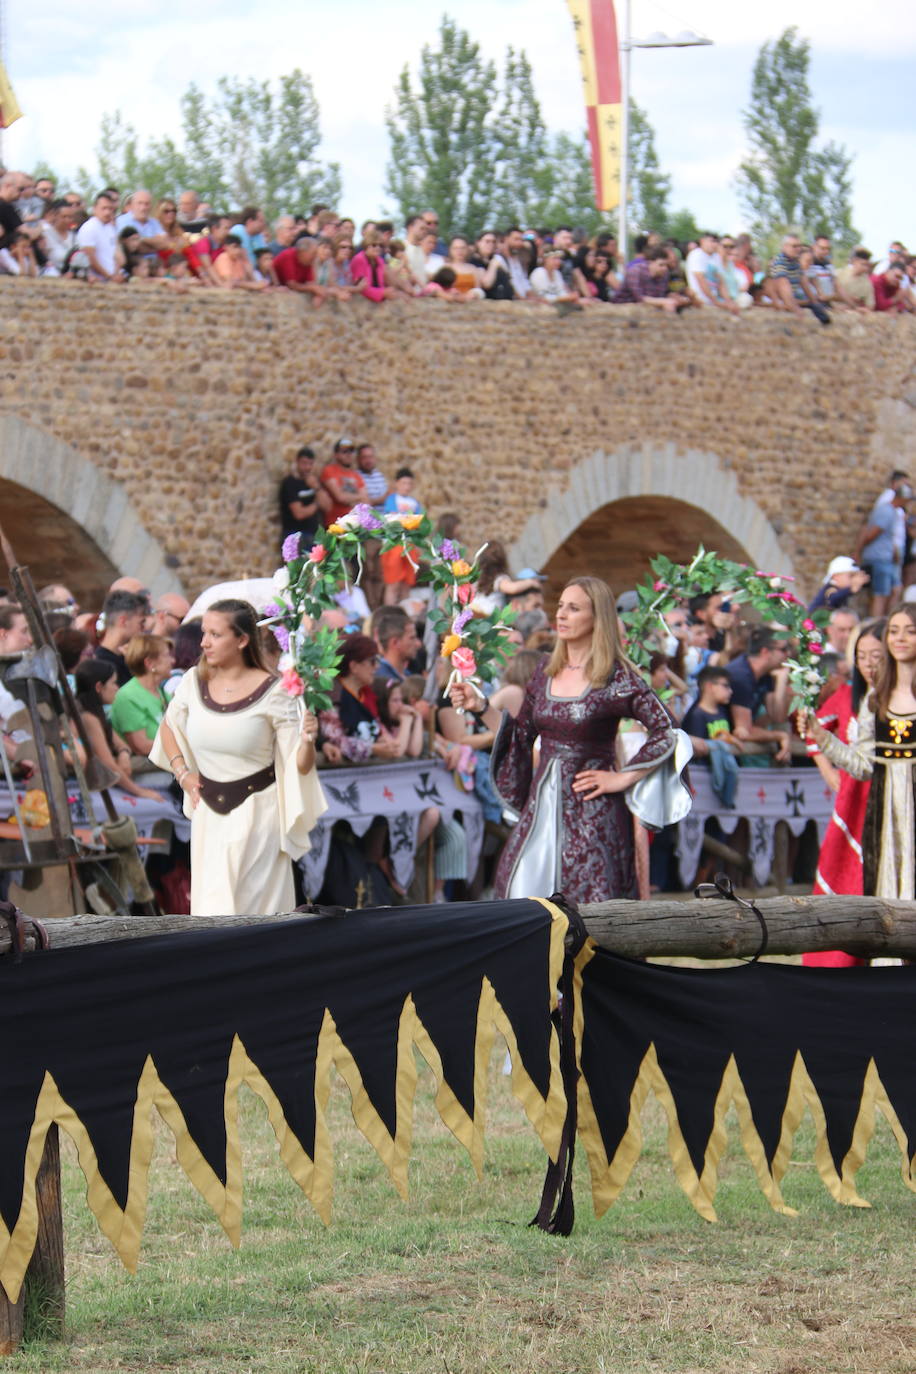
595, 25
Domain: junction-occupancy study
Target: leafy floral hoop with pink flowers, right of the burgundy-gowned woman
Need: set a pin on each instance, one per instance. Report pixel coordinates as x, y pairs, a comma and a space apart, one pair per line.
766, 593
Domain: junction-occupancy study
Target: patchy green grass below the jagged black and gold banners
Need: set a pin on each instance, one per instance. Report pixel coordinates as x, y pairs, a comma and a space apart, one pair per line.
455, 1283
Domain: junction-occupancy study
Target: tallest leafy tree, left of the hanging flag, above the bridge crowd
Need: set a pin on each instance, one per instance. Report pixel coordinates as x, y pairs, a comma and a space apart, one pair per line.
442, 134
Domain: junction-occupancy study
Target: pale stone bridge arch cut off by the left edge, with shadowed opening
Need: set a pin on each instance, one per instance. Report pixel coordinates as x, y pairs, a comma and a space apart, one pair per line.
97, 532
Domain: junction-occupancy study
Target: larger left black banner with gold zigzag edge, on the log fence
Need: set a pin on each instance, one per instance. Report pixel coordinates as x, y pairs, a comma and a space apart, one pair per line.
98, 1037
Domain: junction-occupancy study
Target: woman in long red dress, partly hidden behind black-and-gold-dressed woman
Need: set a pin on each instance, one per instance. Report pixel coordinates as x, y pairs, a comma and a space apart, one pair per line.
840, 868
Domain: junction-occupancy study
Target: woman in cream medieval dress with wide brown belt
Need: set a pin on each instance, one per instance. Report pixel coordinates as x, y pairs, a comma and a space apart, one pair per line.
247, 766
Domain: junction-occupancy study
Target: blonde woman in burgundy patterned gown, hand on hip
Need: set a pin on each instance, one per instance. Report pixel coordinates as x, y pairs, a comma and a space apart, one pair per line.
575, 832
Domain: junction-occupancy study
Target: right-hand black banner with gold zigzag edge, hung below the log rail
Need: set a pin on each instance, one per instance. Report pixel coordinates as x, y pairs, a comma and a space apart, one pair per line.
771, 1041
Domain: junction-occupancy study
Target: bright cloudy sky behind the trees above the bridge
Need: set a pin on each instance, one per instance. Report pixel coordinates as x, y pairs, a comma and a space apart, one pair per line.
71, 65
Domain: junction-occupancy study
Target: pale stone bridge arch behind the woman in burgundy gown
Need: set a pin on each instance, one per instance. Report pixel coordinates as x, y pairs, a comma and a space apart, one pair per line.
641, 477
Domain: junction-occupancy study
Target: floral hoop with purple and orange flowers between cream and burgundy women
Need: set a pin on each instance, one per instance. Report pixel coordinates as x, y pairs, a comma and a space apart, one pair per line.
314, 576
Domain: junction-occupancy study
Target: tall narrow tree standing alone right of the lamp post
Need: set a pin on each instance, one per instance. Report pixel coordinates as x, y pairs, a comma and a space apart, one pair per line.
786, 181
